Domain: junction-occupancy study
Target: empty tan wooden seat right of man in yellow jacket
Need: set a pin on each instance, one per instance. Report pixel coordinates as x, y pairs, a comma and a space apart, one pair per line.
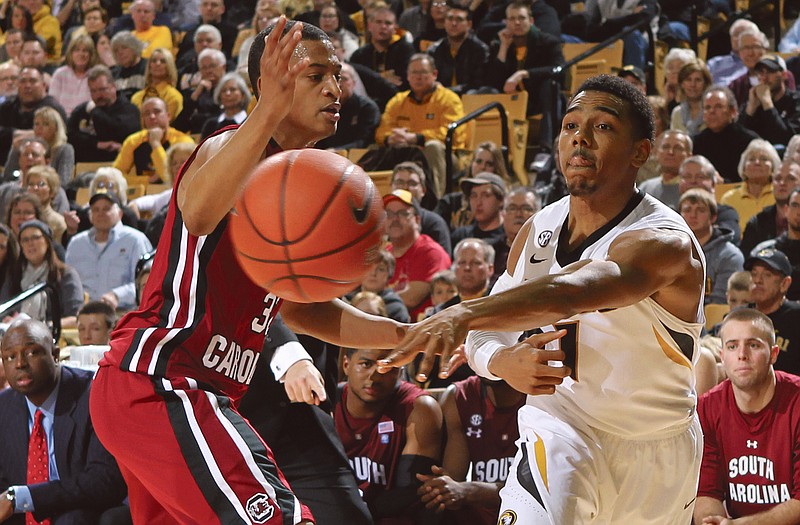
487, 126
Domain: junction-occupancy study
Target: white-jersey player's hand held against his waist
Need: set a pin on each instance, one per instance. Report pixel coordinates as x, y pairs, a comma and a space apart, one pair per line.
525, 366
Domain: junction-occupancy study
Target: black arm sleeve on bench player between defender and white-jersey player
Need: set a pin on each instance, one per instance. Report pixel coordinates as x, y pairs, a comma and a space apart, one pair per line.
402, 500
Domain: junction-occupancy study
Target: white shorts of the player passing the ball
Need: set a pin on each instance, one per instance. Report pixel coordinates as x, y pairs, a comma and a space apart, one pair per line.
566, 473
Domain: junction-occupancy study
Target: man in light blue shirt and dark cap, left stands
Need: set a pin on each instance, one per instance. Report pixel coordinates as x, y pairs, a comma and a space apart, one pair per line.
105, 256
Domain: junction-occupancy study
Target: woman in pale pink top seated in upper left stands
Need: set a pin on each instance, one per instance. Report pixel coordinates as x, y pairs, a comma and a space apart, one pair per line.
69, 85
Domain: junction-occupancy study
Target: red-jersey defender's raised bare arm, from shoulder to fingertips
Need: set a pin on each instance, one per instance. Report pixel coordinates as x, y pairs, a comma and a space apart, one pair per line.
209, 188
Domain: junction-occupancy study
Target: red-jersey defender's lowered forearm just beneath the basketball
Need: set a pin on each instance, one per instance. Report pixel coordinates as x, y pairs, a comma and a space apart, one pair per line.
341, 324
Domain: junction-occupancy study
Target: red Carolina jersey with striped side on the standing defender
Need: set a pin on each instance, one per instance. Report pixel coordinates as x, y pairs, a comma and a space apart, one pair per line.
201, 319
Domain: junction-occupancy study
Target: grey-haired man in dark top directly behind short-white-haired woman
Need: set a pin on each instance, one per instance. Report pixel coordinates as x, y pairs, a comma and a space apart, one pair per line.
198, 101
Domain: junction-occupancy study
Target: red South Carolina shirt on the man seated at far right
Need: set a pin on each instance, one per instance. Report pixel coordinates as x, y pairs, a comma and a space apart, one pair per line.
751, 461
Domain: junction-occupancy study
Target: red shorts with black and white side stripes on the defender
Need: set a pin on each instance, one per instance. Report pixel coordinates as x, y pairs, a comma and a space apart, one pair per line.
187, 456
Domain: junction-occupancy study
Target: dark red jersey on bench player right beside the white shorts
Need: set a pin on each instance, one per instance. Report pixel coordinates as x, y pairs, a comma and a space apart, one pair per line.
491, 440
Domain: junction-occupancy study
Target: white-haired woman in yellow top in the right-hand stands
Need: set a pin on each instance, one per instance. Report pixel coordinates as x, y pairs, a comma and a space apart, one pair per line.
757, 165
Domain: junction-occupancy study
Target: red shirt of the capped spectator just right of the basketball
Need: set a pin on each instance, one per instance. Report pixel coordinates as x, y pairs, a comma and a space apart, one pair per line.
420, 262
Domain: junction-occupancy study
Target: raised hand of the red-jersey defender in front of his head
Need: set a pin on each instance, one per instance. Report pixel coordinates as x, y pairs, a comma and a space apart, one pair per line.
278, 74
